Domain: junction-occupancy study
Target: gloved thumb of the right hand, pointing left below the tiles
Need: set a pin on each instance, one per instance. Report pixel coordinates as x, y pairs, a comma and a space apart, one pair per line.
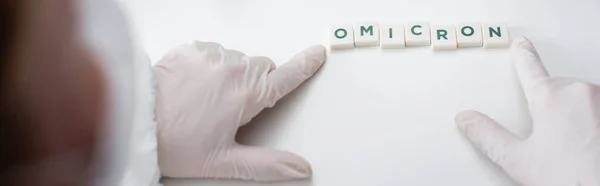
489, 137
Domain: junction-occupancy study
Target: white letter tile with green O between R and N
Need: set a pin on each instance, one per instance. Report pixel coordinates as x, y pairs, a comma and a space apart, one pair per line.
469, 35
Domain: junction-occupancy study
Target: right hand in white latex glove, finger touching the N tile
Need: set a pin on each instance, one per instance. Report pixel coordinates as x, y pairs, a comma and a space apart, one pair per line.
564, 147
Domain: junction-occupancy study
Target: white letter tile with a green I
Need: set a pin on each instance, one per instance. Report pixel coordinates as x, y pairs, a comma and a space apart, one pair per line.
392, 36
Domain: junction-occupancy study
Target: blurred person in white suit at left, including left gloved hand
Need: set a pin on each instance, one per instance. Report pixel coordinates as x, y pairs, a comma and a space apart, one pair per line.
77, 102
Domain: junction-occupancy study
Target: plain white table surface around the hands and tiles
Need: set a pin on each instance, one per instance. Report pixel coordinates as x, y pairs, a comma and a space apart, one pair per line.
373, 117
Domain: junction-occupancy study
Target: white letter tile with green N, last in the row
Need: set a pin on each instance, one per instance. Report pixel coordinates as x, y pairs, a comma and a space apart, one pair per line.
495, 36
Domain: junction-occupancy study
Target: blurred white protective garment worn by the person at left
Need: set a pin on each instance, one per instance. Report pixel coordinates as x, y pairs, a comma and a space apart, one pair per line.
128, 156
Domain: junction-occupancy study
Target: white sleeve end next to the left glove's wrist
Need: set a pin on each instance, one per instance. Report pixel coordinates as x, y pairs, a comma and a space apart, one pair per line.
142, 169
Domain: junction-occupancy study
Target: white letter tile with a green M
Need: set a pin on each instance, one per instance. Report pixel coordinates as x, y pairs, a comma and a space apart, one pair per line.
366, 34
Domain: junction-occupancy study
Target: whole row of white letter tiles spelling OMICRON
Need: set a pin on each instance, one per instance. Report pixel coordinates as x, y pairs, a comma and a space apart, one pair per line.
439, 37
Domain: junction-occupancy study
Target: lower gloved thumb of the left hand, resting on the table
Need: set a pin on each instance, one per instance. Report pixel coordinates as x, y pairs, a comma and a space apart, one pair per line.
259, 164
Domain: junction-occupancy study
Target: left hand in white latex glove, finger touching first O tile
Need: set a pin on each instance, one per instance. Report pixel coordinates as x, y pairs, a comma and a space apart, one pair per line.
205, 93
